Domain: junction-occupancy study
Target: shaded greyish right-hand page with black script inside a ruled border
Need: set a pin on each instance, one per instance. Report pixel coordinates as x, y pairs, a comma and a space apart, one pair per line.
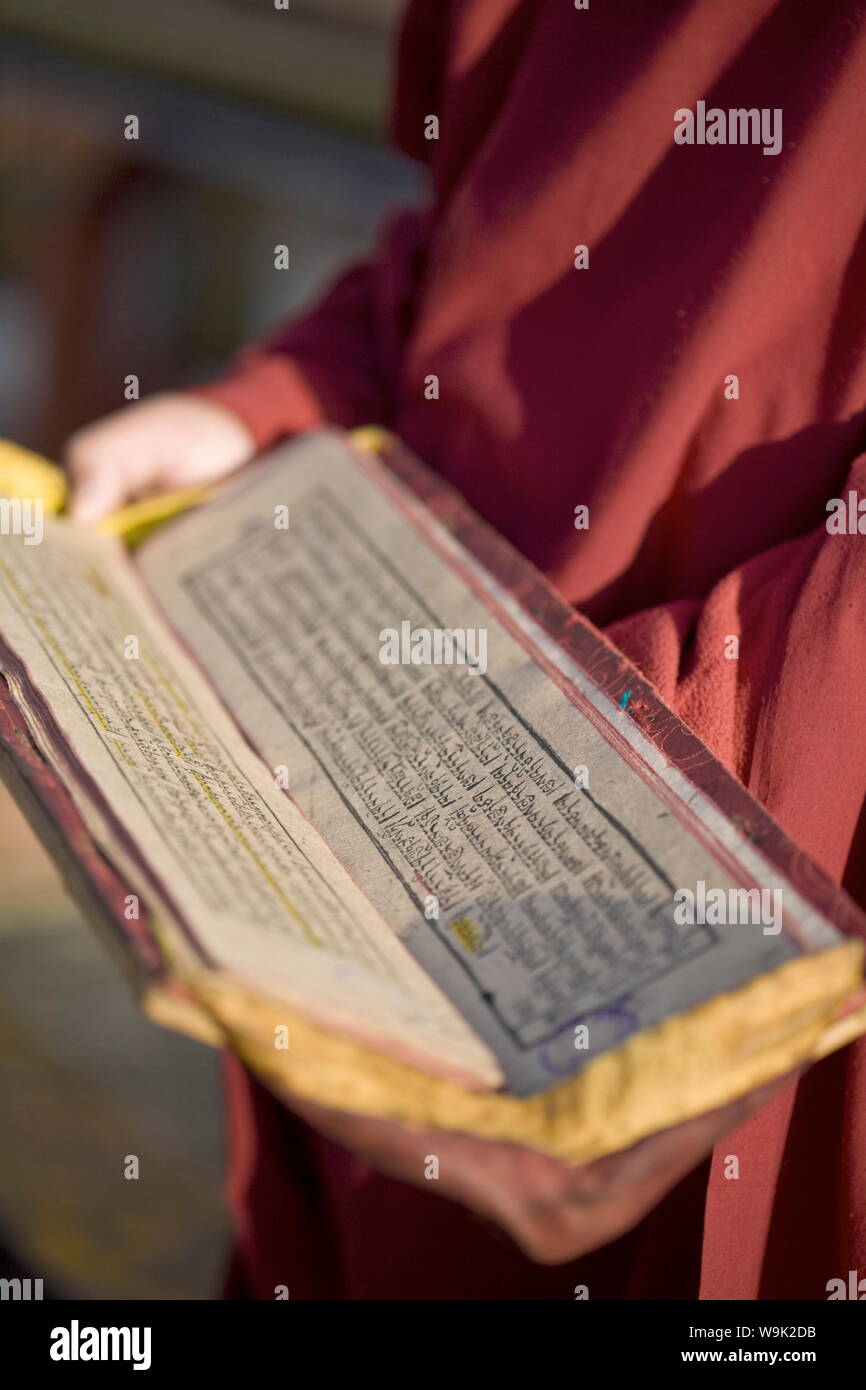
450, 789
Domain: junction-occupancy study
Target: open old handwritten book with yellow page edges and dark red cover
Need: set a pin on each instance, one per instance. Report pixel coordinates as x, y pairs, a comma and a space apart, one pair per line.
354, 790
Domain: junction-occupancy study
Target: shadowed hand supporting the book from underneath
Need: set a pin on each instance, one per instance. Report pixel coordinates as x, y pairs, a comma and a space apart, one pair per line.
551, 1210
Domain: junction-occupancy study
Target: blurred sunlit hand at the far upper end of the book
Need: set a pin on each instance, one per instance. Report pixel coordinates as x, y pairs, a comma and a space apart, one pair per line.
158, 445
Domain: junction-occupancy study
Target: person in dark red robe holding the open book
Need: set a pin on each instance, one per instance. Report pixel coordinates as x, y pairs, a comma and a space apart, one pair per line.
639, 287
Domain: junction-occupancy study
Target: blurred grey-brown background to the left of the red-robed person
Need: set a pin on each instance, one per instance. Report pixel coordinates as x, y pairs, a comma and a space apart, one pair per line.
258, 127
